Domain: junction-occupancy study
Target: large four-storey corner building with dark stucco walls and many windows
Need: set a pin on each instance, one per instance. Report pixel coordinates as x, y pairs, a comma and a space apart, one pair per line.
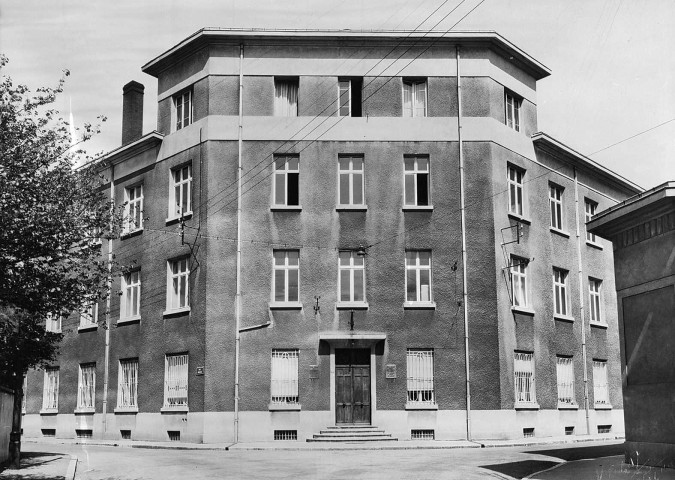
298, 229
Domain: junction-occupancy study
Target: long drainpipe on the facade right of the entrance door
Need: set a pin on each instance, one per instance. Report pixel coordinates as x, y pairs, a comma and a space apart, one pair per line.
464, 268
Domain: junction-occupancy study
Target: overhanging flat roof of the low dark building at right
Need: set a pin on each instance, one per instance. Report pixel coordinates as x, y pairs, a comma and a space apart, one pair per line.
636, 209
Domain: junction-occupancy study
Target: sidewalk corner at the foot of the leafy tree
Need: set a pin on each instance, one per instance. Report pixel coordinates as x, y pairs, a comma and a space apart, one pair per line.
43, 466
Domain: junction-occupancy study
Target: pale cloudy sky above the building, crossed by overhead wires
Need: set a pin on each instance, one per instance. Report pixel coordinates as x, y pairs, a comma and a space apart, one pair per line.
612, 60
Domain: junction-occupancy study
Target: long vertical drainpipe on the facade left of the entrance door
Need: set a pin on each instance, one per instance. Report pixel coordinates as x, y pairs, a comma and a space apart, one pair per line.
237, 333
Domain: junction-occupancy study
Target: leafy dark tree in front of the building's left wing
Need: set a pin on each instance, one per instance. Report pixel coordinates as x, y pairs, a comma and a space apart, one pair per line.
50, 214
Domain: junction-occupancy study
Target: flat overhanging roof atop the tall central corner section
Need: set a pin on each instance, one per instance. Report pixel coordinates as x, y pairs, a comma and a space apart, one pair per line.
274, 36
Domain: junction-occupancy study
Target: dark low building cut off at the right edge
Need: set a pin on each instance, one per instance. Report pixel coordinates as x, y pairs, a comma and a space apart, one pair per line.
642, 232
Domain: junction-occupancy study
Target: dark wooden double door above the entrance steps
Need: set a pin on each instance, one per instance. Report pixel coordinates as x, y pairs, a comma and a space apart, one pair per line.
352, 385
